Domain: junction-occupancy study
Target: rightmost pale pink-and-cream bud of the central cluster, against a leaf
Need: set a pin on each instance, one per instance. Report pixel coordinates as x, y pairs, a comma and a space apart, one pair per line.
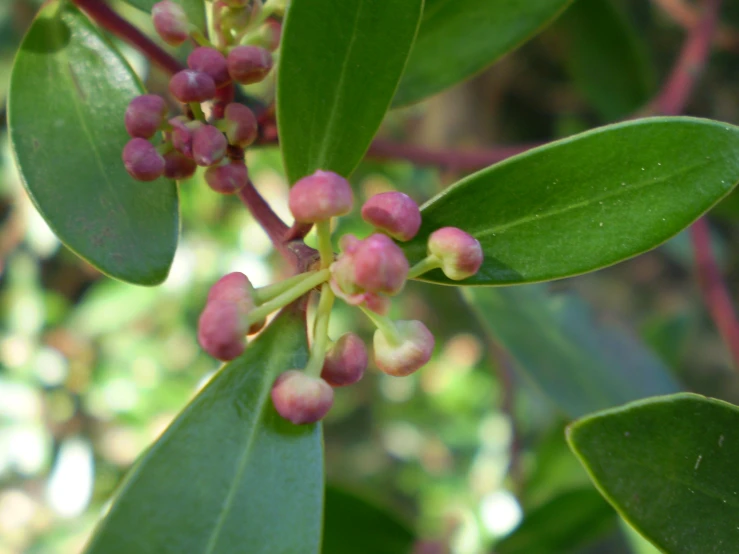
460, 253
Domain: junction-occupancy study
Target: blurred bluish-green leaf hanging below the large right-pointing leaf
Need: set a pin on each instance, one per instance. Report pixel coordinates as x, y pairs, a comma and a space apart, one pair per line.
579, 363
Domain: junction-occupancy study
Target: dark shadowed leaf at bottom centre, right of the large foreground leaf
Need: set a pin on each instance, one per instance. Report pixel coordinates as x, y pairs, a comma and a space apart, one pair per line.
353, 523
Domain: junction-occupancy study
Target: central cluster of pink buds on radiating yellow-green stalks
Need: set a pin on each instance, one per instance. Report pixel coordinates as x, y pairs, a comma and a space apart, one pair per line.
367, 273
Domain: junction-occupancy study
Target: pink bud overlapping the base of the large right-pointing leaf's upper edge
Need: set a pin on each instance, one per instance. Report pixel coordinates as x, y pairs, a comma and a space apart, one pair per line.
394, 213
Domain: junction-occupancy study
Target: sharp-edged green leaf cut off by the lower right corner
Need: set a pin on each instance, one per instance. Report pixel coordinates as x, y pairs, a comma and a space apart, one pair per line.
668, 465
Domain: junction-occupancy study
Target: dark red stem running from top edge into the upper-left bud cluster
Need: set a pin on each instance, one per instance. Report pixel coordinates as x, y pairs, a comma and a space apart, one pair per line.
103, 15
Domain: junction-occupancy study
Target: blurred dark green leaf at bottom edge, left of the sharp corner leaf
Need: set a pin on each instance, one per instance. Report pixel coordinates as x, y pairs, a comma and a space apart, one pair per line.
564, 524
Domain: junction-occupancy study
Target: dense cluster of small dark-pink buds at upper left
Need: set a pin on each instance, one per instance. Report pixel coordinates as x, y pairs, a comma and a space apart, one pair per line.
241, 55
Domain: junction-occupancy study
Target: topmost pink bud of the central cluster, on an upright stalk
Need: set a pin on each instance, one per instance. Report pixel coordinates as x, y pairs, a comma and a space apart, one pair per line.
320, 196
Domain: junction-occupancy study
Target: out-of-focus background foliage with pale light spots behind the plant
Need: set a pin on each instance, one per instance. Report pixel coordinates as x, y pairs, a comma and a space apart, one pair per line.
469, 452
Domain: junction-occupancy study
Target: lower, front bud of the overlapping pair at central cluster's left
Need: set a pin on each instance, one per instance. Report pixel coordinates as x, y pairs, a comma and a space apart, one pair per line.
221, 330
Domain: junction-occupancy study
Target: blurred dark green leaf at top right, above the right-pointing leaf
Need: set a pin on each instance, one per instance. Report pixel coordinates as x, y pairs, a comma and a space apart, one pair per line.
606, 58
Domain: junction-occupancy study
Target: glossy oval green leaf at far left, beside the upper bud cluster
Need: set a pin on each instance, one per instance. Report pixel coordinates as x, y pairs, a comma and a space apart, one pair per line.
68, 93
